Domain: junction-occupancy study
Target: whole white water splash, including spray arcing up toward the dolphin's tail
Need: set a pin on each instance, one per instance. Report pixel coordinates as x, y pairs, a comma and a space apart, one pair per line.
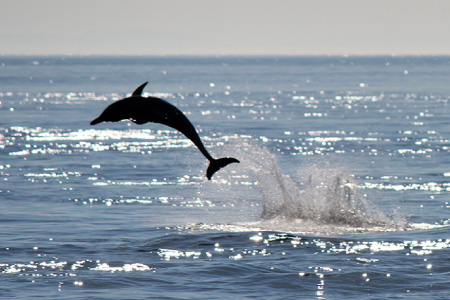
321, 194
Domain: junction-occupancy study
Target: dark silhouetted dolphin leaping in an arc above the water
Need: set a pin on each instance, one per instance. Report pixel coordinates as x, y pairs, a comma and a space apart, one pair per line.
141, 110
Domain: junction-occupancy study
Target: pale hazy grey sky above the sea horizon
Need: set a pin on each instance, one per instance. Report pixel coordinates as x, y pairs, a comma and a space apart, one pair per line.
226, 27
